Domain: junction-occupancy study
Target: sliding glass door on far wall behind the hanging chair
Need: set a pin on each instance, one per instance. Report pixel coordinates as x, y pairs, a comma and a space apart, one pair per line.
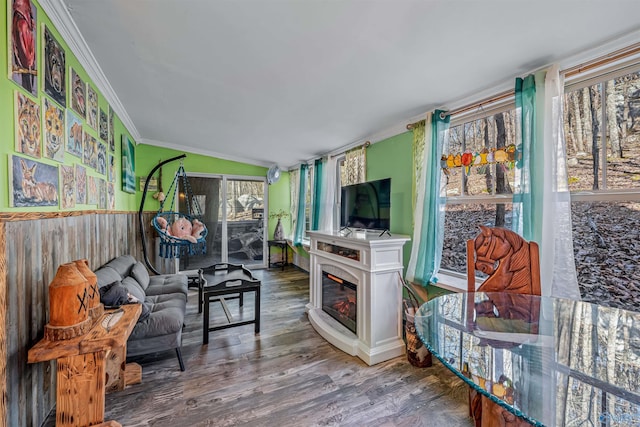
233, 211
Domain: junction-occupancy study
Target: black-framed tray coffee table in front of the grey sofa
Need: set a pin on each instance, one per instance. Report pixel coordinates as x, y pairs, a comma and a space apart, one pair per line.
222, 282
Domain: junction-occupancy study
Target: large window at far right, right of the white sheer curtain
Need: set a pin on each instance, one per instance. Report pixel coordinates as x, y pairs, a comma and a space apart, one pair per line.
604, 179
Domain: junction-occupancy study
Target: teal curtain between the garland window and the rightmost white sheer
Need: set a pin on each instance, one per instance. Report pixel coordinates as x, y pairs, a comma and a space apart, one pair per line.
524, 207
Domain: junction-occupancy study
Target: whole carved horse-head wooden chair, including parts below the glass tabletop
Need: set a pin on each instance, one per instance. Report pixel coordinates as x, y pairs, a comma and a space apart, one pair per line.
512, 265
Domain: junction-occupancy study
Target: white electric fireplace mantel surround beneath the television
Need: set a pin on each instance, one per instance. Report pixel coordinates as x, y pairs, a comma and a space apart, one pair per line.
372, 262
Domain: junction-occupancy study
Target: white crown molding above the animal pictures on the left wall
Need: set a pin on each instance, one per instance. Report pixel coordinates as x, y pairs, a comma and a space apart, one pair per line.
59, 15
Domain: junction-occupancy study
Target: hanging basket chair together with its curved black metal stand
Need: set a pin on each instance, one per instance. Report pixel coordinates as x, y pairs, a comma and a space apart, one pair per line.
172, 246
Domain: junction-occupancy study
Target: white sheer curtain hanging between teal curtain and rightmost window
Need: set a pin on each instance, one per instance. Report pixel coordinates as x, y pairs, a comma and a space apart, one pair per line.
556, 246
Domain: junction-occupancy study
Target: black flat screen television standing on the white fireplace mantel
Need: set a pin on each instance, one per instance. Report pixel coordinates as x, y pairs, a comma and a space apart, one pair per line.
366, 205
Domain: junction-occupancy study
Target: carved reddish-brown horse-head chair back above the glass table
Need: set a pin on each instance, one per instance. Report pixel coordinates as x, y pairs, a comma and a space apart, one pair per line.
512, 263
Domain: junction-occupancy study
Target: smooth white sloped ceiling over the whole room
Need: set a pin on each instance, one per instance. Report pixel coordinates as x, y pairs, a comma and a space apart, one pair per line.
284, 81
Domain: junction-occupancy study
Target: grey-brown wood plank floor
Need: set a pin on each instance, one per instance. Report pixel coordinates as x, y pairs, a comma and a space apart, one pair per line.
287, 375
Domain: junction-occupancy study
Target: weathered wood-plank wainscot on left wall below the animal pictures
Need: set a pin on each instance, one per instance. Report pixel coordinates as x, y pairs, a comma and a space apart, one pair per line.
32, 246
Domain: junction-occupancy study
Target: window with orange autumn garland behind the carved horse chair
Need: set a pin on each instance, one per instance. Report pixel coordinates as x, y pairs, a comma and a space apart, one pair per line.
480, 193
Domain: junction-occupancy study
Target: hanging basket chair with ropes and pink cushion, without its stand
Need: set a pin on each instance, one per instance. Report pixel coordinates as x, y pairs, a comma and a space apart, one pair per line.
181, 233
